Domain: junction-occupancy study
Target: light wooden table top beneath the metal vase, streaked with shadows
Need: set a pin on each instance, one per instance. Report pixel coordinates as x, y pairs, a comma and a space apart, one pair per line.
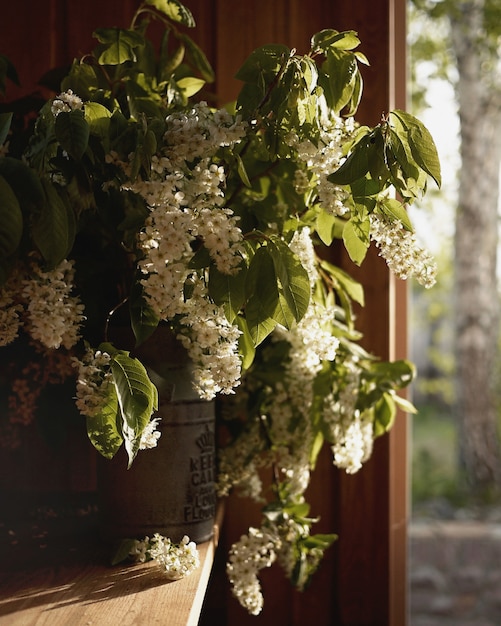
54, 571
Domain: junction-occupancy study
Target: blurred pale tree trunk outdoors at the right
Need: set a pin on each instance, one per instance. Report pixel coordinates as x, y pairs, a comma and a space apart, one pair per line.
476, 243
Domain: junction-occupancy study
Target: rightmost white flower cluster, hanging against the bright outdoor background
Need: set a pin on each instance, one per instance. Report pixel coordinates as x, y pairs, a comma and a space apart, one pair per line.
399, 247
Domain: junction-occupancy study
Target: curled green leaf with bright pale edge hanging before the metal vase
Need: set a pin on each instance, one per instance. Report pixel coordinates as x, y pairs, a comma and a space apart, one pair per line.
137, 399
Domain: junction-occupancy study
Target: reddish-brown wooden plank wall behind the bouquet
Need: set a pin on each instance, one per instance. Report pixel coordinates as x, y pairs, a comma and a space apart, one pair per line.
363, 579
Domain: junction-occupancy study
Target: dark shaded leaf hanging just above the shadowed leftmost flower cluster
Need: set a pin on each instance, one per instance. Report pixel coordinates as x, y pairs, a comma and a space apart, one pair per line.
53, 230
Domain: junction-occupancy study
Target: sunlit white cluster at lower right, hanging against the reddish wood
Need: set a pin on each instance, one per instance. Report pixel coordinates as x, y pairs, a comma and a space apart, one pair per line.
351, 430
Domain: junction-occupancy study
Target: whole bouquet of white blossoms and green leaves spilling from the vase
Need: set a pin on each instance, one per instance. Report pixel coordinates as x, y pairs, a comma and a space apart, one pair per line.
132, 193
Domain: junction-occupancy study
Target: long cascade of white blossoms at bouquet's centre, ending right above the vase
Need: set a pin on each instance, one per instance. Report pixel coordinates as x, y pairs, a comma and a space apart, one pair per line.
185, 196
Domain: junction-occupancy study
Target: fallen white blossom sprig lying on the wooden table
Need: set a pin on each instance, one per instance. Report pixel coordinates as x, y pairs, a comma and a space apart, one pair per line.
177, 560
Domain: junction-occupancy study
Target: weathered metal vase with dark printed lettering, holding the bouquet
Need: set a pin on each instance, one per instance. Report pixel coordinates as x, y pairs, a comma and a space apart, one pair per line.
169, 489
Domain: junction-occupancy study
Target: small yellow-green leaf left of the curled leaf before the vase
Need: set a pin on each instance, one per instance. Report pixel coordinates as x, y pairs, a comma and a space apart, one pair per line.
102, 428
